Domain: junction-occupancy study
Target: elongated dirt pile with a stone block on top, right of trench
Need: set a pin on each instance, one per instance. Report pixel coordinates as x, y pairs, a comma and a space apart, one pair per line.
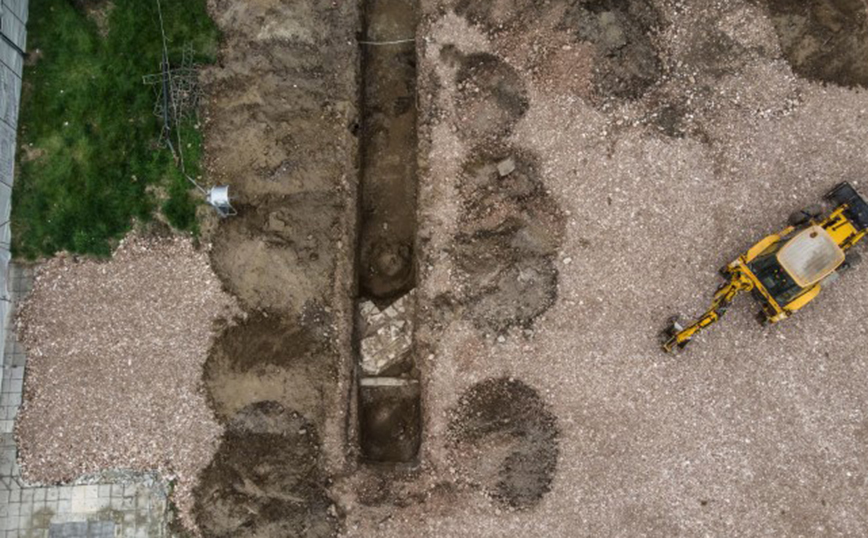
510, 231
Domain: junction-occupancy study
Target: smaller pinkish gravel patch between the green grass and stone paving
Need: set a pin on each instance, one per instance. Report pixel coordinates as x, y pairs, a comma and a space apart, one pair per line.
115, 352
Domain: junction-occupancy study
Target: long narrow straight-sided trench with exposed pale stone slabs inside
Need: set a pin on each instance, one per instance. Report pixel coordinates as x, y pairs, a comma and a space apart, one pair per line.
389, 396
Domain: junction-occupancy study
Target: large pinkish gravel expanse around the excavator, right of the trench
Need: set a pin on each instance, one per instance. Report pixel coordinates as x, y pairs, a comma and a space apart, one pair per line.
752, 431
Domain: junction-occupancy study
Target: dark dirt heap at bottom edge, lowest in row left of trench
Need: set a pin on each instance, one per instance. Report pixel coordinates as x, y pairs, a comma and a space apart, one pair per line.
282, 494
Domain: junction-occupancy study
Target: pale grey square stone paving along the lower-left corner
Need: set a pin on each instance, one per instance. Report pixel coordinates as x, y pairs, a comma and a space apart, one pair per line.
123, 506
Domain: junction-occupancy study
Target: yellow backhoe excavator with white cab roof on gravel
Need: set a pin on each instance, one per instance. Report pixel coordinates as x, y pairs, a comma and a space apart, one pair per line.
785, 271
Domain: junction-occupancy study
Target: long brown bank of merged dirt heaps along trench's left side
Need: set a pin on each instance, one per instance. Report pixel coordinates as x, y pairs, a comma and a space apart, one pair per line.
280, 130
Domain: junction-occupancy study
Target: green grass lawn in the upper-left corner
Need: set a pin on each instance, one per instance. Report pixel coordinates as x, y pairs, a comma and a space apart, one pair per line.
88, 137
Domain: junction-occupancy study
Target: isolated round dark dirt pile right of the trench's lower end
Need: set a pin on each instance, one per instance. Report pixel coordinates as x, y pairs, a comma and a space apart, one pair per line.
505, 441
